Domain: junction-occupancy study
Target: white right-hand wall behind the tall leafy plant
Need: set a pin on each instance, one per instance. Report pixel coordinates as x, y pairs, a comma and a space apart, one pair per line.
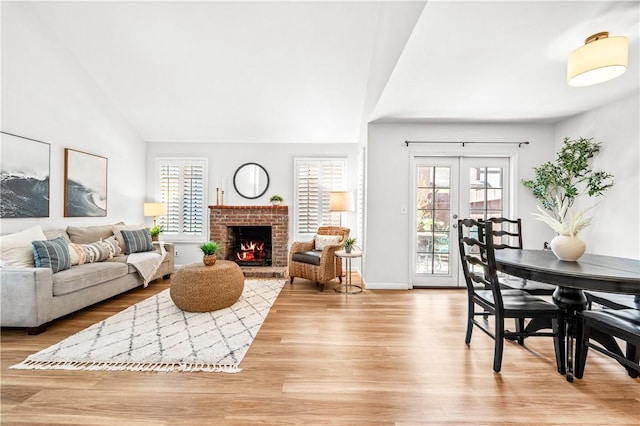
615, 227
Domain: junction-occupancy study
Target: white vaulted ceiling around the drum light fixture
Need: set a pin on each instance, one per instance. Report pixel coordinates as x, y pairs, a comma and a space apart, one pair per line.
306, 72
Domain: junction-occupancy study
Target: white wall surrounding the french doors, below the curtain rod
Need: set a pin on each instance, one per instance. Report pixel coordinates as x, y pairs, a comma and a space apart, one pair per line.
387, 232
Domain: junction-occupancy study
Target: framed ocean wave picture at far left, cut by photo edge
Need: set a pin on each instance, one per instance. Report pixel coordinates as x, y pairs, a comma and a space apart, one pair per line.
24, 184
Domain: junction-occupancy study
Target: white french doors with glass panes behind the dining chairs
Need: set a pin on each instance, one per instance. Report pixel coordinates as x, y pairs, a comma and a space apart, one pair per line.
445, 189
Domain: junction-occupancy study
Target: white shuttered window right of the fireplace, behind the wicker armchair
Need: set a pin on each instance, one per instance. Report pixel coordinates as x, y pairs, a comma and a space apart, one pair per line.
315, 179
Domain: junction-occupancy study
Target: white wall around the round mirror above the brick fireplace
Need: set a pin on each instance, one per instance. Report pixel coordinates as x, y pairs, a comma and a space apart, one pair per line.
223, 160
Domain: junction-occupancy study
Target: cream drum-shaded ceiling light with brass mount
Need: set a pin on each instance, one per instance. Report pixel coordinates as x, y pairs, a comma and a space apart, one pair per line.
602, 58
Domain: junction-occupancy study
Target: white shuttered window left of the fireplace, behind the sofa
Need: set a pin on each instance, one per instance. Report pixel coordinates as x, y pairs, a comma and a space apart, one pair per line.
181, 185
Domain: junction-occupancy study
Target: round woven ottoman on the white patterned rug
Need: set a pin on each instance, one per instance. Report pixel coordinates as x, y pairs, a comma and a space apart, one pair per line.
200, 288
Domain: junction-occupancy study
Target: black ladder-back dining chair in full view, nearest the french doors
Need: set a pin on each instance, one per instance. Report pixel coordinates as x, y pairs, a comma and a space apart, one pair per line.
485, 292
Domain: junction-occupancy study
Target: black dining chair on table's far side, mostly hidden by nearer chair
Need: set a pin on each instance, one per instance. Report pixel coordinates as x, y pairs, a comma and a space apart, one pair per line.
507, 234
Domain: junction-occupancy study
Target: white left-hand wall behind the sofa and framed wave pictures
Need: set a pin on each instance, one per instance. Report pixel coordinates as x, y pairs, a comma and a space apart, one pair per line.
47, 95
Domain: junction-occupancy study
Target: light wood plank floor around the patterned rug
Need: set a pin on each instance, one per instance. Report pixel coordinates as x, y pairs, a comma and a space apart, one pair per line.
380, 357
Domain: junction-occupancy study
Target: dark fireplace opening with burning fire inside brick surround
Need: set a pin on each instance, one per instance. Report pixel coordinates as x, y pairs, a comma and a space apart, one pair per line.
250, 245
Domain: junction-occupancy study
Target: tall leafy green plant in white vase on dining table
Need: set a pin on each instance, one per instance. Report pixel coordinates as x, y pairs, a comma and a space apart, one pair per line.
557, 185
